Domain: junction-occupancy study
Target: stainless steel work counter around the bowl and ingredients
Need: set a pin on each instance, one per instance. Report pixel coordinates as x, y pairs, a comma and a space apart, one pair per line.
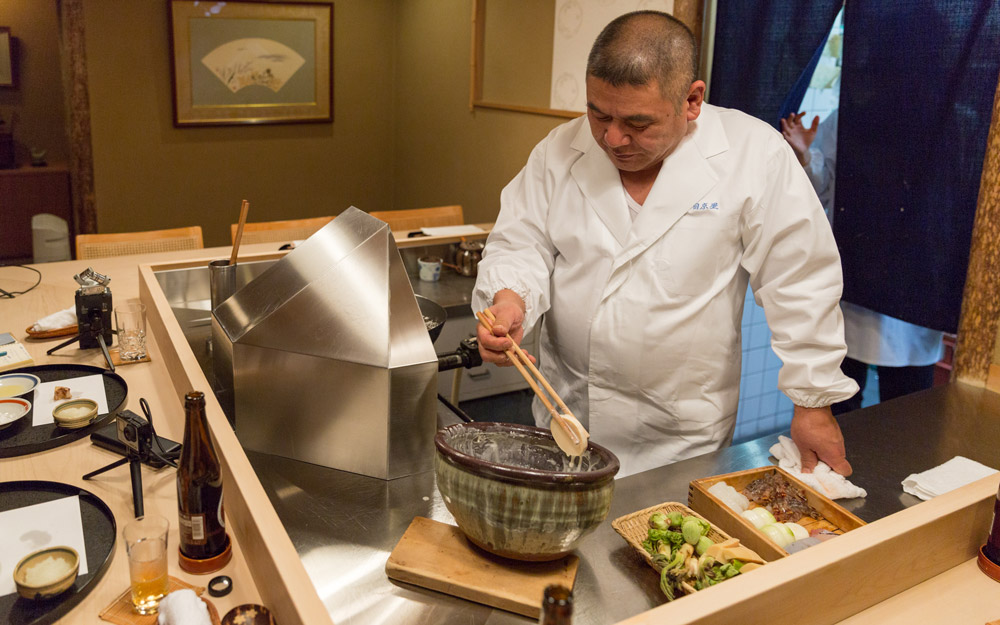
344, 526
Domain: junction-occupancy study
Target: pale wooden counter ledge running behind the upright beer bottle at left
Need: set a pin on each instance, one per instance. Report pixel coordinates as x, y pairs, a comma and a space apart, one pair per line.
278, 572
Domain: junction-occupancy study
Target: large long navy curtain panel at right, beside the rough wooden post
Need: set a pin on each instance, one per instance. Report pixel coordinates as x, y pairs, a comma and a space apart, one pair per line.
916, 97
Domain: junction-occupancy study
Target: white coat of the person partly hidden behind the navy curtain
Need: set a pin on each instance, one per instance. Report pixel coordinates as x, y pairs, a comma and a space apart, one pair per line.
872, 338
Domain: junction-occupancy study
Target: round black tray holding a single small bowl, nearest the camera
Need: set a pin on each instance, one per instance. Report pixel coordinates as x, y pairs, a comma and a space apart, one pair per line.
99, 532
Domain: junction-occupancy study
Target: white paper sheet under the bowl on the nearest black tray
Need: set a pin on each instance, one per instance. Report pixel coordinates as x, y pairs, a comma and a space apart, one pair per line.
24, 530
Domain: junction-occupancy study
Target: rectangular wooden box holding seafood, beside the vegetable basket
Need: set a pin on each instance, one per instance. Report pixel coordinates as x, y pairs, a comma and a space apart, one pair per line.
833, 517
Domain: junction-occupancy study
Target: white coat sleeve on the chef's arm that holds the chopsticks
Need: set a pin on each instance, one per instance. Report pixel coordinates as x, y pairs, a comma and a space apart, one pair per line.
519, 254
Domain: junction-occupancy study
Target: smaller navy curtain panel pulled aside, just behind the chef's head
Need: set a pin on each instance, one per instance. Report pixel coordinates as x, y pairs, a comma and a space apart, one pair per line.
762, 48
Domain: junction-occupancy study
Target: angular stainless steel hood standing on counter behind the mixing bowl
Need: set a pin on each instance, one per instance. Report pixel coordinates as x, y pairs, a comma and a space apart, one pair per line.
329, 356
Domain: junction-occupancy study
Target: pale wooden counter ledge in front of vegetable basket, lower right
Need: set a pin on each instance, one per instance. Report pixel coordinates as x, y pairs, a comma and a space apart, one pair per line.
842, 577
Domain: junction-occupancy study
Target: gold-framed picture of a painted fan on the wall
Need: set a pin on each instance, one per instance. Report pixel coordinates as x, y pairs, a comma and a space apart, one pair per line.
251, 62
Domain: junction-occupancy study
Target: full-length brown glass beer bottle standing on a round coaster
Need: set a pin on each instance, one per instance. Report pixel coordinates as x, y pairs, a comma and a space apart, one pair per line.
199, 486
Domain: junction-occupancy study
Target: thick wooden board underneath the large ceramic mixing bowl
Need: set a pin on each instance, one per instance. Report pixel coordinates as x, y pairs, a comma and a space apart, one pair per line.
438, 556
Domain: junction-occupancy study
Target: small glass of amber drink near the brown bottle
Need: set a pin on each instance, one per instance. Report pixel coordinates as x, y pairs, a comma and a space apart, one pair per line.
146, 544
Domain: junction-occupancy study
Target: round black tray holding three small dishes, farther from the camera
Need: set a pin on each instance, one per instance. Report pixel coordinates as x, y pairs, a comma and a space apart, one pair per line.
22, 438
